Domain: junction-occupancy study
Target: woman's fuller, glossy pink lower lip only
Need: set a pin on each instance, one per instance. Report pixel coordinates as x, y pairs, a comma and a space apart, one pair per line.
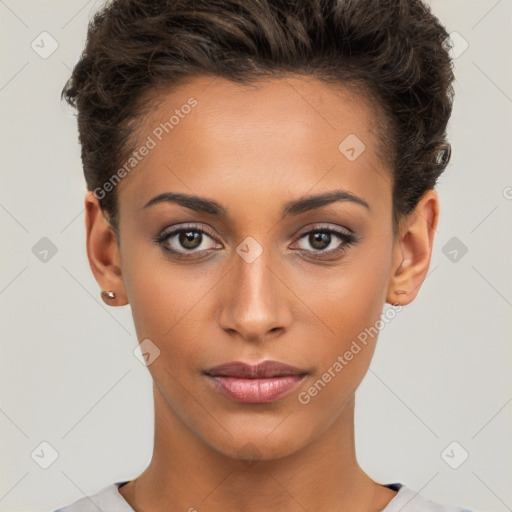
255, 391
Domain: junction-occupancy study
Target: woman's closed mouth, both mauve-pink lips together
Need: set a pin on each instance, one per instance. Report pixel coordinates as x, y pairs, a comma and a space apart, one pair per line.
261, 383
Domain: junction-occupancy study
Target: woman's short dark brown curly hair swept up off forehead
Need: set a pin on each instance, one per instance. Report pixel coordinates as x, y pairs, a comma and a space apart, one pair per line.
395, 52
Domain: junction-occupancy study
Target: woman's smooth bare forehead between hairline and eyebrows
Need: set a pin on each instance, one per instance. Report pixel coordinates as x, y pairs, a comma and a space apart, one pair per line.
291, 134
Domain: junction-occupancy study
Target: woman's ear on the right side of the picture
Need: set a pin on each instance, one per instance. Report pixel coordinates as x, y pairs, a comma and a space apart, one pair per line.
413, 250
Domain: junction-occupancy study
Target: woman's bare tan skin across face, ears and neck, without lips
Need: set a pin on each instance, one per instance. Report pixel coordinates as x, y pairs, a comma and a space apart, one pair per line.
252, 150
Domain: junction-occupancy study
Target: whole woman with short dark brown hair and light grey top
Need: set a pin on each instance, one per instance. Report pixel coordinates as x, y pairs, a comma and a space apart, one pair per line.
261, 183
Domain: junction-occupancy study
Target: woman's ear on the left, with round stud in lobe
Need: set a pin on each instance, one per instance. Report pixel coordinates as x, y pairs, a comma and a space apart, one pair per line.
103, 252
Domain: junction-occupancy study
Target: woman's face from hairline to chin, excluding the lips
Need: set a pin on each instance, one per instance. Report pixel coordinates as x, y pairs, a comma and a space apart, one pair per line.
254, 276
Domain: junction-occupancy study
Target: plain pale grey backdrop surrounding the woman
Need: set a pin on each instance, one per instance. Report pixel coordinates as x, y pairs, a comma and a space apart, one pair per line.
441, 371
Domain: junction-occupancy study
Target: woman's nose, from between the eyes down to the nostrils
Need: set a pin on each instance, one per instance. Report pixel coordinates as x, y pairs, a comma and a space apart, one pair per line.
254, 300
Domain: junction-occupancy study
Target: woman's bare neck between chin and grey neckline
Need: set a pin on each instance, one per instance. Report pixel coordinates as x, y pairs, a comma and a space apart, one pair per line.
186, 473
